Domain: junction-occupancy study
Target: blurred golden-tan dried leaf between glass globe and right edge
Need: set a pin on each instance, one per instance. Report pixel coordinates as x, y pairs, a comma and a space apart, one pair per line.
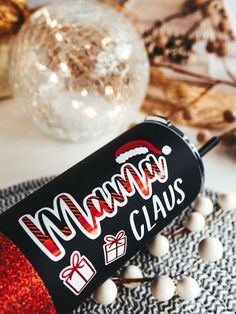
185, 103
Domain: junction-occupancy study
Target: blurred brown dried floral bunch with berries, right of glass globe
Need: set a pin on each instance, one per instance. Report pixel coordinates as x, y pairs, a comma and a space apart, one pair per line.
193, 103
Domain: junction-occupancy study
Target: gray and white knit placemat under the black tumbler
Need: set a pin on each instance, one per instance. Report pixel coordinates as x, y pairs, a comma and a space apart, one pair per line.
217, 280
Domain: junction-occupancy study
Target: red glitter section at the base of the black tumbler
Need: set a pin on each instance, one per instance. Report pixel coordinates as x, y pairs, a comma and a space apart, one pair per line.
21, 289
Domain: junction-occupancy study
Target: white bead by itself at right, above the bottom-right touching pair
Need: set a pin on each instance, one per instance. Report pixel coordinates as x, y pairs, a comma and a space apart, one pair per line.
210, 249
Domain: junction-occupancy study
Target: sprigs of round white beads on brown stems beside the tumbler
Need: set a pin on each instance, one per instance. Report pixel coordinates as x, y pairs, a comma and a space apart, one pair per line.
164, 287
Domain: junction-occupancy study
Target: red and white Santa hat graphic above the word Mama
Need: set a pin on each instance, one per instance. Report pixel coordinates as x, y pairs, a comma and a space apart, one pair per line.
138, 147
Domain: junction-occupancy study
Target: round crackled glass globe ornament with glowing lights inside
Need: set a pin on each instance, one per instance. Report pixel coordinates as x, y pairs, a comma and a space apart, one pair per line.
79, 69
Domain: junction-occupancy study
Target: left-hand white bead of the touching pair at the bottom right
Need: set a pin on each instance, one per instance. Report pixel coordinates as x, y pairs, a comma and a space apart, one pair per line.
163, 288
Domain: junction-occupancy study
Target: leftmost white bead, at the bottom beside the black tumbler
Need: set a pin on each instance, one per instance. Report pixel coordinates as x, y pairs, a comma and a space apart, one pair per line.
106, 293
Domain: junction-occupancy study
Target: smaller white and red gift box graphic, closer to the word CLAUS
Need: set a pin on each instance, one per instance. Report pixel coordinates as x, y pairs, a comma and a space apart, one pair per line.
115, 247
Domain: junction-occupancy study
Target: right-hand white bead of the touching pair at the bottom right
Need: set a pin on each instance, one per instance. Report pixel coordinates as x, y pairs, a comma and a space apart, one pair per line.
187, 289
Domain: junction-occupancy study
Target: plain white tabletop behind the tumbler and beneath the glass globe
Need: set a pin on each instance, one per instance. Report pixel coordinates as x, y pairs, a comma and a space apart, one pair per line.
26, 153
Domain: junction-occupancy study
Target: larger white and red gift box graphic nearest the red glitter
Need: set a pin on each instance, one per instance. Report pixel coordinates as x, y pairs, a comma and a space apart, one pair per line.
78, 274
